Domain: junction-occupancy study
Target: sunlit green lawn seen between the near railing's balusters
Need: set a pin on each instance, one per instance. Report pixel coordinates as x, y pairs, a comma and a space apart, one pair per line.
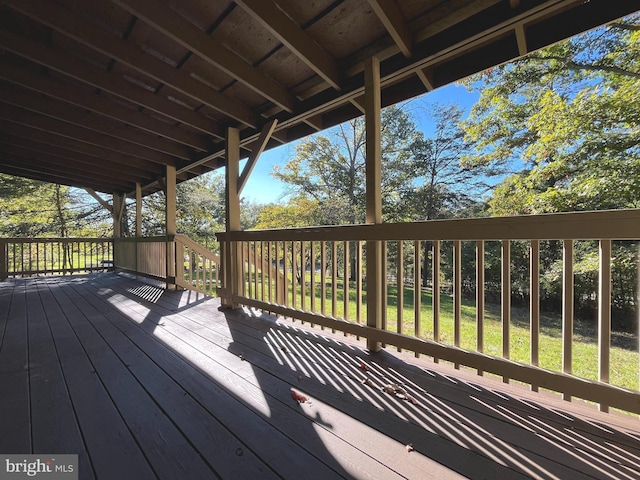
624, 362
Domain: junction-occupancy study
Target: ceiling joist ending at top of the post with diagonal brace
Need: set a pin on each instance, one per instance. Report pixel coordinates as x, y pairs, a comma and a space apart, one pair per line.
41, 54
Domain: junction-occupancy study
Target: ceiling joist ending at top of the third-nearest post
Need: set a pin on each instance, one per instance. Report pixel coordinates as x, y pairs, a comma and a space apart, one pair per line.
24, 117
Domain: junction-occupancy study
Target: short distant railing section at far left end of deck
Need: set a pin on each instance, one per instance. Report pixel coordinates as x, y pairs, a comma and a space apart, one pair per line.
21, 257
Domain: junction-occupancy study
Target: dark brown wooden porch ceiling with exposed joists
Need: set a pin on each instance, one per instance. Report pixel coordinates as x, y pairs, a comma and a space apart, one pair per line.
103, 94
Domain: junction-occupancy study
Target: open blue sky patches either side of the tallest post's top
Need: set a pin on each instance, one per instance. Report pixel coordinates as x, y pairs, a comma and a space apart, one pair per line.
261, 187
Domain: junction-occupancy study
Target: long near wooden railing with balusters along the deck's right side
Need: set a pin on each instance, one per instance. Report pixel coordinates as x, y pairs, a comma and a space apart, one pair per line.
319, 275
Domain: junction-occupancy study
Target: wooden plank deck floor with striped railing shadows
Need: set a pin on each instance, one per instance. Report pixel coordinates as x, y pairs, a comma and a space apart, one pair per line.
147, 383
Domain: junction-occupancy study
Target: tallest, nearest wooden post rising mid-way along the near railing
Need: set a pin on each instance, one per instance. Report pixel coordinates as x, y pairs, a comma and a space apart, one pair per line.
374, 197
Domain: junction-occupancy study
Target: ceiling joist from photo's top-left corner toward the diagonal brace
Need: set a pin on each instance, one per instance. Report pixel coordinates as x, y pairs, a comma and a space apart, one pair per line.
68, 23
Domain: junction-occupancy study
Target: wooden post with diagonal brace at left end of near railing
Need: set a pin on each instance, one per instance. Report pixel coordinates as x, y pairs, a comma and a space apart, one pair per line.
233, 265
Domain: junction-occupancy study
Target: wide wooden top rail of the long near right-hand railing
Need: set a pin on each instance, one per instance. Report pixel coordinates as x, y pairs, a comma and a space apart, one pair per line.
605, 224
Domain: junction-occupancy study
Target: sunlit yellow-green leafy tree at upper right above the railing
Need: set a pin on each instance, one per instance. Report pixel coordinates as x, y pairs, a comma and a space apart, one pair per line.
565, 122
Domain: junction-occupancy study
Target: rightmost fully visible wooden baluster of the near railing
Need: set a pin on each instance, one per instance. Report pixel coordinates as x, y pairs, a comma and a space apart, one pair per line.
604, 315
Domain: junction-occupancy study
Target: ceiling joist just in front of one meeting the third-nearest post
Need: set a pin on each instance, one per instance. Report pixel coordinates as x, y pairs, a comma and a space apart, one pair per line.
93, 122
